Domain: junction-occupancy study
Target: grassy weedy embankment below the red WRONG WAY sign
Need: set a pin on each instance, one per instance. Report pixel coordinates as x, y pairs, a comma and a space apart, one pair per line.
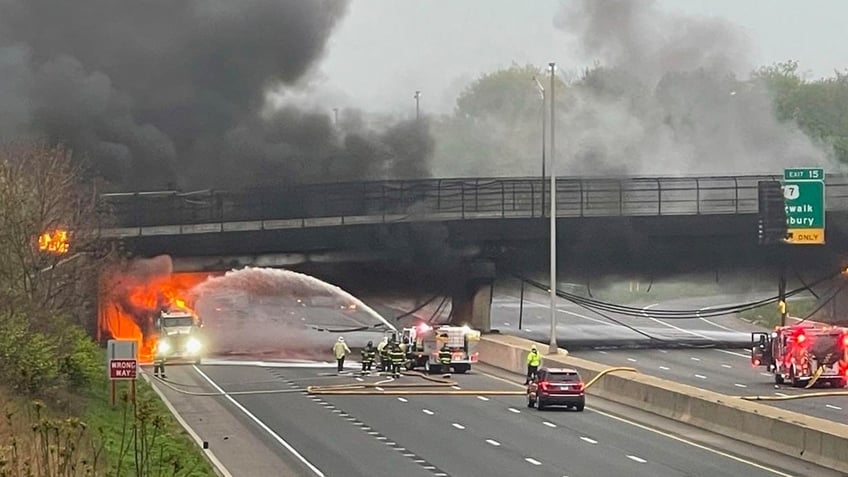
90, 437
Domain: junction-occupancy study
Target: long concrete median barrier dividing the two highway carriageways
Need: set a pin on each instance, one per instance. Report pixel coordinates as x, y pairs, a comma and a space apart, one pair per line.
805, 437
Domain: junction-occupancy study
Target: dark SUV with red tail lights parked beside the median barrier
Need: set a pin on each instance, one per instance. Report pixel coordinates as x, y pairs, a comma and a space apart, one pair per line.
556, 387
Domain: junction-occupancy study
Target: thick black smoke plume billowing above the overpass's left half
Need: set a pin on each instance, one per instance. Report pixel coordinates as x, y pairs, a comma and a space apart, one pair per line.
158, 93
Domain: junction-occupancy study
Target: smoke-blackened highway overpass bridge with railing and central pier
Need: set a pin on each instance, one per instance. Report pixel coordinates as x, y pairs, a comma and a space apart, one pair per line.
459, 228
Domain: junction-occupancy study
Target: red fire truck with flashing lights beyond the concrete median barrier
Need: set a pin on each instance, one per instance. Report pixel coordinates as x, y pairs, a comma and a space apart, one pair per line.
799, 354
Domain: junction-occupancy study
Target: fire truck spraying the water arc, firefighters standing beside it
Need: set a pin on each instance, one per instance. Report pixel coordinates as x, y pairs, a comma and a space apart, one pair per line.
425, 341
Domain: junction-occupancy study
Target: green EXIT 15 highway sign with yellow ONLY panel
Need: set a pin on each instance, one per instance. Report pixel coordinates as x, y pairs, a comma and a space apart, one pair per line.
803, 193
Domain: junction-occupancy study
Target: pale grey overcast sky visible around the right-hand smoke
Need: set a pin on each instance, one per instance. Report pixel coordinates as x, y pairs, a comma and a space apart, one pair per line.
384, 50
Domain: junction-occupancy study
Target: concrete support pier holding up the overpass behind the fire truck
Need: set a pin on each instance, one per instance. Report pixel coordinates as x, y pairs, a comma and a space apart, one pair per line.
471, 304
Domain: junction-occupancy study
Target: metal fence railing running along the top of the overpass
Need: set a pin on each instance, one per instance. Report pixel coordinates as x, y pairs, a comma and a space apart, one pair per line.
168, 212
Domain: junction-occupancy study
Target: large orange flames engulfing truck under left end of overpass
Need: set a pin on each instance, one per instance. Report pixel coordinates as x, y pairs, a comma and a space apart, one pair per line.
128, 312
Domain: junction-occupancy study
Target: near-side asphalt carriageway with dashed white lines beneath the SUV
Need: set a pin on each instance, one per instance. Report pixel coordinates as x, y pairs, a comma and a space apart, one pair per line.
461, 435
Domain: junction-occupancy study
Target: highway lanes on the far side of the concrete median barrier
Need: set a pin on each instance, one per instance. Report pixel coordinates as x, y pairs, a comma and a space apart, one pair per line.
727, 371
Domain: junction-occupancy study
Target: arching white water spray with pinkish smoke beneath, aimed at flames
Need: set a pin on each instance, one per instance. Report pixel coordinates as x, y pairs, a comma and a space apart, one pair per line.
260, 311
